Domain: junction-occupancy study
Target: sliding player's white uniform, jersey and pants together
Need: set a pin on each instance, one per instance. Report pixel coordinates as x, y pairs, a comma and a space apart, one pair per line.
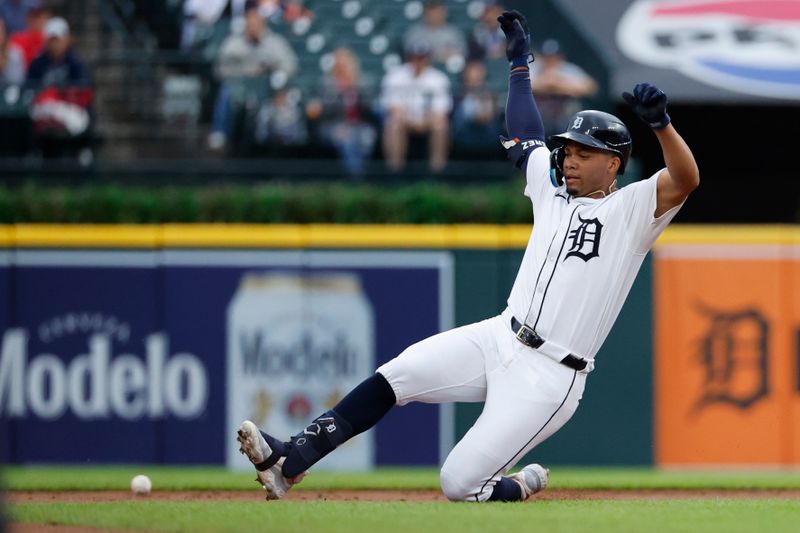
580, 263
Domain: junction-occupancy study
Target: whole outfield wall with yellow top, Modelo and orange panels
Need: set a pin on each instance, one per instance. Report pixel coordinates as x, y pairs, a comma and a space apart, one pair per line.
182, 321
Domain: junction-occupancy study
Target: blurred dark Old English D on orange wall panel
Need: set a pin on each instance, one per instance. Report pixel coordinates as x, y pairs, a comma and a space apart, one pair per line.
734, 355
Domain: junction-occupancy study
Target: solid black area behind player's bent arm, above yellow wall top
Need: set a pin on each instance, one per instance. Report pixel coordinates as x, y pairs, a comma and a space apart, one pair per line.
747, 155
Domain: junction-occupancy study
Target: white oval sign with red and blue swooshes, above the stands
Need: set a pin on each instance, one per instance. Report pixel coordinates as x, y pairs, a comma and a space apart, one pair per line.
741, 45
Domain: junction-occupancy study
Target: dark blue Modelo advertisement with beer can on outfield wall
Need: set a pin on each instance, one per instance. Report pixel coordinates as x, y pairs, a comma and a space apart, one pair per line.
156, 357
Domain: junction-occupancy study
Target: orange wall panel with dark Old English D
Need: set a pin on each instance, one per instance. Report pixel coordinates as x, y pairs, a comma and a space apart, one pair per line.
725, 362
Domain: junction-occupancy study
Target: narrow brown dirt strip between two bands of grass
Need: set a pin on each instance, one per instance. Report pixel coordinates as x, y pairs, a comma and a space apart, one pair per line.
394, 495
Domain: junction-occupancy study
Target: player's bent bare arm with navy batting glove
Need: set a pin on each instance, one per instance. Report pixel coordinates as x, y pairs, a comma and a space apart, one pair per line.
681, 176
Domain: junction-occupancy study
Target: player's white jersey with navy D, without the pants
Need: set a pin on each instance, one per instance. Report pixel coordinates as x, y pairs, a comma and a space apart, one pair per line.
581, 259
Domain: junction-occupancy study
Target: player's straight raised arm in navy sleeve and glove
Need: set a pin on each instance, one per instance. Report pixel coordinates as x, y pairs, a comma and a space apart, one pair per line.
523, 121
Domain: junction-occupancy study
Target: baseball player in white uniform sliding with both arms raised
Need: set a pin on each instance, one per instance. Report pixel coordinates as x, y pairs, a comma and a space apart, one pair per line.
529, 364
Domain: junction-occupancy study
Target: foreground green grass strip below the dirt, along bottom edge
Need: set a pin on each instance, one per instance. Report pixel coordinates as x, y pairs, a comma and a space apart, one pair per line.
703, 516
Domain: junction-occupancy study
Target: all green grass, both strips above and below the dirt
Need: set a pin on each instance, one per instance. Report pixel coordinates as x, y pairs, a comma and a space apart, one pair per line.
702, 515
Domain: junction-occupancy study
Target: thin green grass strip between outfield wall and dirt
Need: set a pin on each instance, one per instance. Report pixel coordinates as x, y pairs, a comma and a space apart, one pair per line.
205, 478
